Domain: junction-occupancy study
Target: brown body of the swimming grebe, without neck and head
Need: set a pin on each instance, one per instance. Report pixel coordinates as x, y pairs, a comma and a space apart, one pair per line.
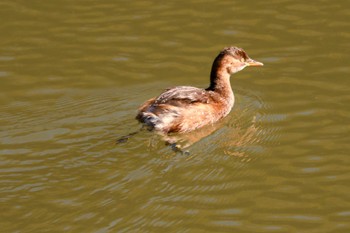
182, 109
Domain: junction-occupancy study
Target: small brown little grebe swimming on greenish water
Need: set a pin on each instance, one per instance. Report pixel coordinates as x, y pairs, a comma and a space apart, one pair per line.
184, 108
